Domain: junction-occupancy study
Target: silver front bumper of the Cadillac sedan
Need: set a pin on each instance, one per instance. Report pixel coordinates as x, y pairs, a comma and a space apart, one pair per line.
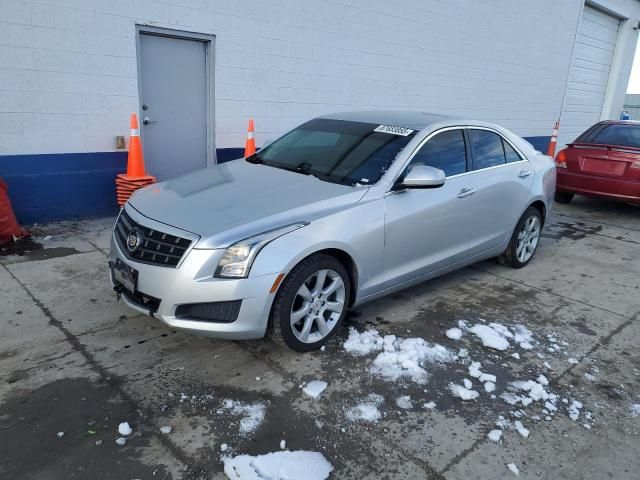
192, 282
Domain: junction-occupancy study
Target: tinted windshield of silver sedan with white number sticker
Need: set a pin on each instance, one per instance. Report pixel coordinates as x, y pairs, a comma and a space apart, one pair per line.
338, 151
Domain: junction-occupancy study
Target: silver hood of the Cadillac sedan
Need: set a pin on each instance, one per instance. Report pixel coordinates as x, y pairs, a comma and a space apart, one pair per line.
235, 200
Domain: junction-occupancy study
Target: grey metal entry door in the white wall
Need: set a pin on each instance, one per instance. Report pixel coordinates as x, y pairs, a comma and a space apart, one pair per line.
173, 97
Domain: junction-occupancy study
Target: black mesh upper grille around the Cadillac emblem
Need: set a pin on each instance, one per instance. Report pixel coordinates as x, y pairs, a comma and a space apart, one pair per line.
156, 248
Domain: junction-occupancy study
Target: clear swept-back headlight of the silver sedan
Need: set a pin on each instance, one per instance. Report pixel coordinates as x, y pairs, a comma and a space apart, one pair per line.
238, 258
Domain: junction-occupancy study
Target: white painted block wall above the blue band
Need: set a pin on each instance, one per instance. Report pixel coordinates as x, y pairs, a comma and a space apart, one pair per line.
68, 67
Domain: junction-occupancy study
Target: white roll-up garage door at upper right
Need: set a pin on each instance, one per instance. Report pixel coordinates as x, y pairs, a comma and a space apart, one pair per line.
589, 74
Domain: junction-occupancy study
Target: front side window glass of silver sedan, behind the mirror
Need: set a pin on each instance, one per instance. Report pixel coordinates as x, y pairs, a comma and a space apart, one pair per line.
445, 151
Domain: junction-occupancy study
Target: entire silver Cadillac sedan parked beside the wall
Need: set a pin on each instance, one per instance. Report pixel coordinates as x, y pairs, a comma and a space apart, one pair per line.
341, 210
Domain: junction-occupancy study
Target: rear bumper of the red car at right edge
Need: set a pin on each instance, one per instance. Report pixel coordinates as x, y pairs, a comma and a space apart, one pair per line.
591, 185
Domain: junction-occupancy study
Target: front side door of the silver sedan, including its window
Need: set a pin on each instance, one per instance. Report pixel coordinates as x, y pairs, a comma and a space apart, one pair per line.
428, 229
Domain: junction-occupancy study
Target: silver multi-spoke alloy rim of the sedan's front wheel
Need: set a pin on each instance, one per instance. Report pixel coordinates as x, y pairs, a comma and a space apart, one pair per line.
317, 306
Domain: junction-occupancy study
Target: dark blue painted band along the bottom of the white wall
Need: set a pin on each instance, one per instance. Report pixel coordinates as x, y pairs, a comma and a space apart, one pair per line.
67, 186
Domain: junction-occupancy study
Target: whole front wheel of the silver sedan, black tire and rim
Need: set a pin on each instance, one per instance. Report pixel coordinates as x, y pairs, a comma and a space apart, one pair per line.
305, 318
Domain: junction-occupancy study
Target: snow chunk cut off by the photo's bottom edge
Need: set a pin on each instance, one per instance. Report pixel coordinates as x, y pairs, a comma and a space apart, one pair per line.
278, 466
